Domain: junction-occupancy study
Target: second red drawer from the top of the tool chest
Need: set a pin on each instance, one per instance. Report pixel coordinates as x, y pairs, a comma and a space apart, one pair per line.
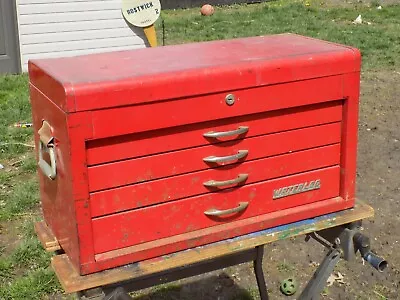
190, 160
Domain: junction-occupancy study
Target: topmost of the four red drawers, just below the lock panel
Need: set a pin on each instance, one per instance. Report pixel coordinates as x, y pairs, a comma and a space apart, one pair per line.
189, 136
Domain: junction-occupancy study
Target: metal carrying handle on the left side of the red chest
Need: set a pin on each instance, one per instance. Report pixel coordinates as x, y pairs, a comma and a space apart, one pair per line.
46, 144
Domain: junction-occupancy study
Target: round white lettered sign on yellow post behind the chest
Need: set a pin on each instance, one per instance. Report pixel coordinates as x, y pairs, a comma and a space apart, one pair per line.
143, 13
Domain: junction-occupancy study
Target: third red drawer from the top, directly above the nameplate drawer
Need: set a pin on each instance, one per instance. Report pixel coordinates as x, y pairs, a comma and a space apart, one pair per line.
197, 183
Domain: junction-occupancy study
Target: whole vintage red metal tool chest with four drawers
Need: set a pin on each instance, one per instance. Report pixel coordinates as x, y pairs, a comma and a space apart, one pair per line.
152, 151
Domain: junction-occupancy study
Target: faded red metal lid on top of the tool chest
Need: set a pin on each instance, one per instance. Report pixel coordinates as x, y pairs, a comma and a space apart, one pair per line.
99, 81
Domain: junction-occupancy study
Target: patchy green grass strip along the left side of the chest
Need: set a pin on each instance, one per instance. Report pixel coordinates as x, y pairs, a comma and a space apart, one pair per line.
24, 265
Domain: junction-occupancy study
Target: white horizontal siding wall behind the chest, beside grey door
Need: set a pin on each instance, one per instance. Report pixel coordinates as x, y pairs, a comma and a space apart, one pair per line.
56, 28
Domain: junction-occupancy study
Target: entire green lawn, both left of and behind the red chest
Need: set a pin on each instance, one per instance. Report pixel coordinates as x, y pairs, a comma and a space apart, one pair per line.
24, 271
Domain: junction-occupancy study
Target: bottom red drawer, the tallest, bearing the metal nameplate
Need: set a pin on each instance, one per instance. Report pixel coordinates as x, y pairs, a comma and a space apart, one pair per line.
186, 215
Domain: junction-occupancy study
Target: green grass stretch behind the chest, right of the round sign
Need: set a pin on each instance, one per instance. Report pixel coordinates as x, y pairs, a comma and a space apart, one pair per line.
378, 42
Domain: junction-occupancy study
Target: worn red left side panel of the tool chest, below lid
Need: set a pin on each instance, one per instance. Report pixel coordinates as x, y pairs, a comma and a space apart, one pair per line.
56, 195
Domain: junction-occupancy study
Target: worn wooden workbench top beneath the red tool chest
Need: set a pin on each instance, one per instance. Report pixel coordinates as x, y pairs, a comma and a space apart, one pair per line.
73, 282
